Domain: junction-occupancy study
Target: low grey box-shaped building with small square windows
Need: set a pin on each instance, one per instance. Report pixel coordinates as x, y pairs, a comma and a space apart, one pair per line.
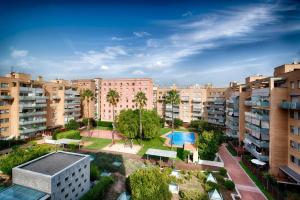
61, 175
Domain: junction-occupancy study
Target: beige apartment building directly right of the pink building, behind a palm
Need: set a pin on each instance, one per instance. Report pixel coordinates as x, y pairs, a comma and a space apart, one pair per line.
191, 107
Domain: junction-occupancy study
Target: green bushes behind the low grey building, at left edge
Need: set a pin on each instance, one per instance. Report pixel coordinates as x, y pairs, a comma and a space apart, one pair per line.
20, 156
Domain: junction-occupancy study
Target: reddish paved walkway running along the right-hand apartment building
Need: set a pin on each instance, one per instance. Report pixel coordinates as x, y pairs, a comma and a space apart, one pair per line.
244, 184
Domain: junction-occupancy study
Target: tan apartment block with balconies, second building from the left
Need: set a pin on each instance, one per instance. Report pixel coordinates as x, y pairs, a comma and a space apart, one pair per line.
63, 103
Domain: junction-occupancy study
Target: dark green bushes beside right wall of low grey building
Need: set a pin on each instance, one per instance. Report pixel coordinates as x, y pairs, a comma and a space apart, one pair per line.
98, 191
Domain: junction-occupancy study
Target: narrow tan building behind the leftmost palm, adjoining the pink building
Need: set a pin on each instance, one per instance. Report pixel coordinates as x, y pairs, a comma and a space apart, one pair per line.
88, 109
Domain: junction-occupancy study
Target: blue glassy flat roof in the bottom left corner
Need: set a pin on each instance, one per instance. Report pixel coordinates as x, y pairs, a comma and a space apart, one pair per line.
18, 192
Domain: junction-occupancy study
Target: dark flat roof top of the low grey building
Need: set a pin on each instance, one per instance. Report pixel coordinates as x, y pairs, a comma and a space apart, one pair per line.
52, 163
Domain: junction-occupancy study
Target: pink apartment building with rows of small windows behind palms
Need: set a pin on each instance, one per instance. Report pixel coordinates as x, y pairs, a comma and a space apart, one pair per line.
127, 88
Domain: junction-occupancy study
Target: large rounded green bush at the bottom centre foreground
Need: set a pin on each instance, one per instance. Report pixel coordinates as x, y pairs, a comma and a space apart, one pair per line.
150, 184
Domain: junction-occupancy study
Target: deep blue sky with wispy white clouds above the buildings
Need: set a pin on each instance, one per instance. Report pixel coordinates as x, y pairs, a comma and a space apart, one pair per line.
182, 42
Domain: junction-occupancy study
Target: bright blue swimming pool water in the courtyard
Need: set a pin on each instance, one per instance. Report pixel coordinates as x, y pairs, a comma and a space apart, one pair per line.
179, 138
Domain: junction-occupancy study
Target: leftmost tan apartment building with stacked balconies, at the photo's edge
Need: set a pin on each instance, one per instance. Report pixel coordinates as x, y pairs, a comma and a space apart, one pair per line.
22, 105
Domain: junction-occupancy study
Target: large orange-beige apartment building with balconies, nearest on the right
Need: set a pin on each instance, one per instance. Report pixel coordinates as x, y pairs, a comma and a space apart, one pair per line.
267, 121
